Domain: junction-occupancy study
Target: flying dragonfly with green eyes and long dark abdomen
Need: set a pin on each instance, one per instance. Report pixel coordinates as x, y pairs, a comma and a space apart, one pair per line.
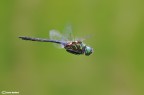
66, 41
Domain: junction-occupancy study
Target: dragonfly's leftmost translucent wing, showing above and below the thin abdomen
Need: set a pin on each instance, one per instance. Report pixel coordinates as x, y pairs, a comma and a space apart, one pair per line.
56, 35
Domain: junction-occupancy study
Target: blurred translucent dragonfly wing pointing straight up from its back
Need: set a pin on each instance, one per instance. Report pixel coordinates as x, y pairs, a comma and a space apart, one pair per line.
68, 35
